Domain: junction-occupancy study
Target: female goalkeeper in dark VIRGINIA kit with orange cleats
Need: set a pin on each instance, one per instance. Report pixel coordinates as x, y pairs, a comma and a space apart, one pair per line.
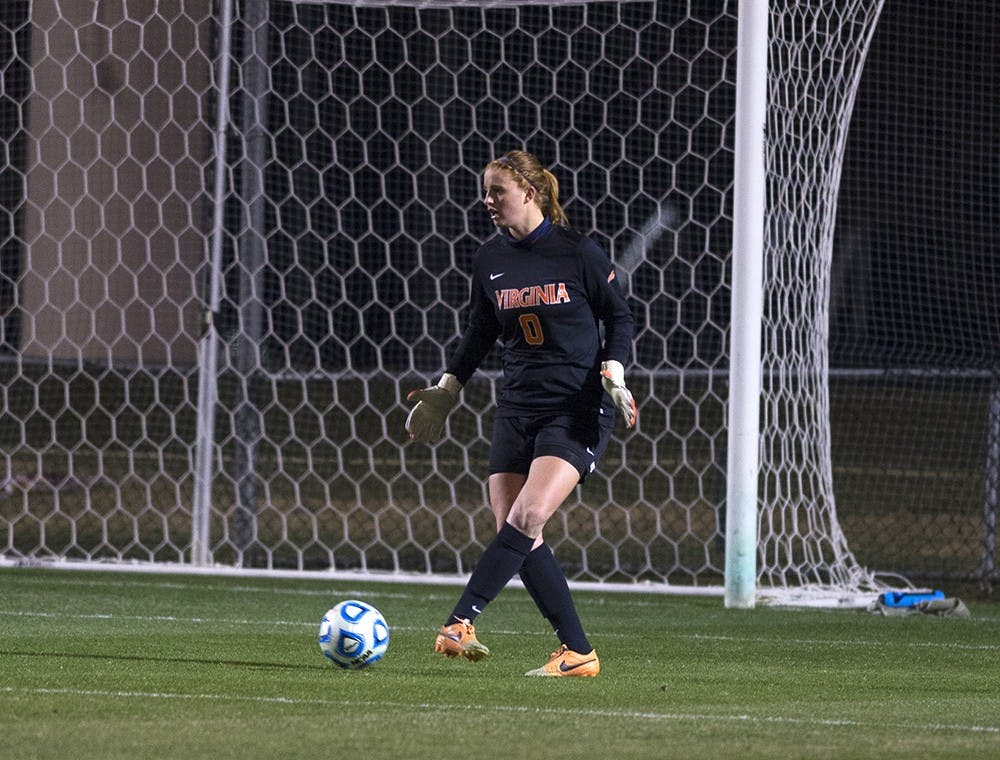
544, 291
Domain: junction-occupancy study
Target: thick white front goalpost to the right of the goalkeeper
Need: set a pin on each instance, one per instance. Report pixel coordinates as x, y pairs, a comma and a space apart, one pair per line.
747, 307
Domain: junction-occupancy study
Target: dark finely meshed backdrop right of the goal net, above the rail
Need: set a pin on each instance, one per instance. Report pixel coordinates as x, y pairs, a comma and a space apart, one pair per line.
917, 260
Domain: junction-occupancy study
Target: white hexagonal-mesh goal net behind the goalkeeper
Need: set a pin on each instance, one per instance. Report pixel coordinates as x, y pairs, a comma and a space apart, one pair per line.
294, 195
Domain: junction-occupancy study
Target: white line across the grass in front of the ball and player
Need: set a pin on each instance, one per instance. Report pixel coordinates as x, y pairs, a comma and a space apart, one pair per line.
507, 709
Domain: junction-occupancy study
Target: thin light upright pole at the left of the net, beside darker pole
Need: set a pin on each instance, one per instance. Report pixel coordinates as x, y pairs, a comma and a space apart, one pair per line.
208, 346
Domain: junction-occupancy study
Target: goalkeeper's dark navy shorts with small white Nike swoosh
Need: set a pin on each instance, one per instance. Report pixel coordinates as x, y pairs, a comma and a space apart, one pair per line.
581, 441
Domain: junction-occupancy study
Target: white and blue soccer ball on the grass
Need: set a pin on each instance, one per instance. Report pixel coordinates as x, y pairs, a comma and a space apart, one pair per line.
353, 635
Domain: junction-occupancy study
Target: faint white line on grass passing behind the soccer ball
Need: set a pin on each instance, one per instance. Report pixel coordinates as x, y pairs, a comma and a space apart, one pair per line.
849, 643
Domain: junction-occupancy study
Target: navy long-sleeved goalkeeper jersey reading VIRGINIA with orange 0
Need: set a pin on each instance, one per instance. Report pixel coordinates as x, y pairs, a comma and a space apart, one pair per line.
545, 297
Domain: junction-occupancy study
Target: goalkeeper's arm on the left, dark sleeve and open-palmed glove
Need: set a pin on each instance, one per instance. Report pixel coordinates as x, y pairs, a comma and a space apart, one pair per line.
432, 405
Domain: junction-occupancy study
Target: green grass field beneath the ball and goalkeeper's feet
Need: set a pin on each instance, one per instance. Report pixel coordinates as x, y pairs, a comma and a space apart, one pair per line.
107, 665
